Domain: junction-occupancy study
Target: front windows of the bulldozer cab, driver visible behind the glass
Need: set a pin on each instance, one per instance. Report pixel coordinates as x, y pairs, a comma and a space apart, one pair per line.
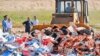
67, 7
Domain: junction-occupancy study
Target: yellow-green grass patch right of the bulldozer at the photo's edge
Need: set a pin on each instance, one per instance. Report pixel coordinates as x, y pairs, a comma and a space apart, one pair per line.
95, 19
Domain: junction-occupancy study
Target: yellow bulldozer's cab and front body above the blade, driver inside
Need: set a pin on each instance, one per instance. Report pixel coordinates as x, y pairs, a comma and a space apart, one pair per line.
67, 11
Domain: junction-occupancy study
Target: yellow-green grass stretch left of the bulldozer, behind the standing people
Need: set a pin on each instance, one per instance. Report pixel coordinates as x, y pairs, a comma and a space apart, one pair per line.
19, 16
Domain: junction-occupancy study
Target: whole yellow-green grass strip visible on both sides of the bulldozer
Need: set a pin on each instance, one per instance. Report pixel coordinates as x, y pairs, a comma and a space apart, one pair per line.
44, 16
